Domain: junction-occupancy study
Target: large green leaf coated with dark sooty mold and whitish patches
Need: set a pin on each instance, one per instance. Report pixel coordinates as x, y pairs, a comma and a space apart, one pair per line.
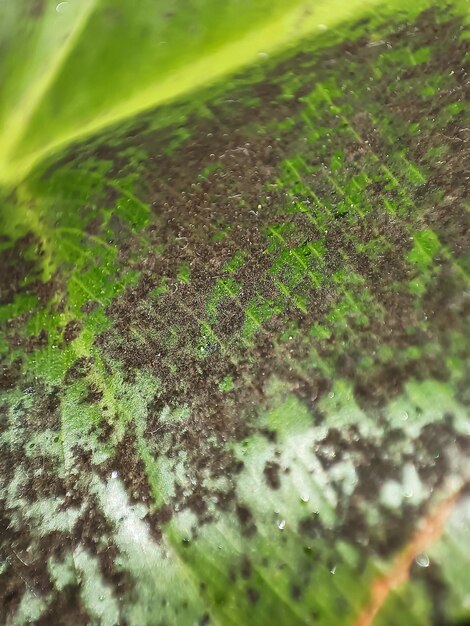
234, 353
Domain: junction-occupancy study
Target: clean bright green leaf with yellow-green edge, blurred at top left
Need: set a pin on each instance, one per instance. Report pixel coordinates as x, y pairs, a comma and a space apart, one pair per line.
73, 67
